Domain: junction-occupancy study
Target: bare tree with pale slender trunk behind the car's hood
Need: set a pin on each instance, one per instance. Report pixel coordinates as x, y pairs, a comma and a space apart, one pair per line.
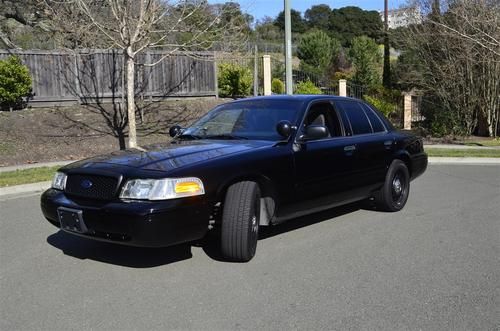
136, 25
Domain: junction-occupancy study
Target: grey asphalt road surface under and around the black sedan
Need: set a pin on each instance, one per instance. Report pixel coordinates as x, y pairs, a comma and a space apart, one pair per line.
433, 266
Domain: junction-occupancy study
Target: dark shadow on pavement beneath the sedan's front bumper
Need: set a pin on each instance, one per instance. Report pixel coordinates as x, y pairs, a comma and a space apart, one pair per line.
127, 256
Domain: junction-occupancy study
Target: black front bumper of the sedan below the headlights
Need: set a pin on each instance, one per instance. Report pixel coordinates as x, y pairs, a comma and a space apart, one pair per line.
135, 223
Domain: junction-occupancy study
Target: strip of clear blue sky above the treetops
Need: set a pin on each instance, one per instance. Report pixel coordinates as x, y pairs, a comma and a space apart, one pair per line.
260, 8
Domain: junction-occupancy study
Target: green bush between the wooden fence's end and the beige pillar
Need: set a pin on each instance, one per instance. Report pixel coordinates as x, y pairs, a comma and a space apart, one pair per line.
234, 80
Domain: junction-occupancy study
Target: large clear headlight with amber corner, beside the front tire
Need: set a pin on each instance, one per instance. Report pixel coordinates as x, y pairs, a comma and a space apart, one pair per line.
162, 189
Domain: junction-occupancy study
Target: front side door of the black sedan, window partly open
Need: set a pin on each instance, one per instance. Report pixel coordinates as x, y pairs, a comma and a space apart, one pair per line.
323, 167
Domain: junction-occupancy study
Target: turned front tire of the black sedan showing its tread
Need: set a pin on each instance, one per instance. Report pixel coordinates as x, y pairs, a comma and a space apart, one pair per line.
240, 221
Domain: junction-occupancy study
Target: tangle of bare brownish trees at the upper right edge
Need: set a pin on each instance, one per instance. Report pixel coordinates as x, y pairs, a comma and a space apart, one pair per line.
455, 59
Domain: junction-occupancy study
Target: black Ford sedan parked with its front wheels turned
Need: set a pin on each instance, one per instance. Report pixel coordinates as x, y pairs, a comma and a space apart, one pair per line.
245, 164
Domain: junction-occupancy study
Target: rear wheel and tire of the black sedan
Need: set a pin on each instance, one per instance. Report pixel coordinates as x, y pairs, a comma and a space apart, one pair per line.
393, 195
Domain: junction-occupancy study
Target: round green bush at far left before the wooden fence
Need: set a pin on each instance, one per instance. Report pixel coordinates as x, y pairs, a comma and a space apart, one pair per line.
15, 82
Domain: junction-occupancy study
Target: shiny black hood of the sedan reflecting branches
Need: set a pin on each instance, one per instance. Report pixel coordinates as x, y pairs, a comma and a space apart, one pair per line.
170, 156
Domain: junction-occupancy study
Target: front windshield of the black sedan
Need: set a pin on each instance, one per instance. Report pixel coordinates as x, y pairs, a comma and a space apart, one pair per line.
244, 120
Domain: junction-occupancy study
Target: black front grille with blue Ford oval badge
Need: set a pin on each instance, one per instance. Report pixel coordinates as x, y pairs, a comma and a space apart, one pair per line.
92, 186
